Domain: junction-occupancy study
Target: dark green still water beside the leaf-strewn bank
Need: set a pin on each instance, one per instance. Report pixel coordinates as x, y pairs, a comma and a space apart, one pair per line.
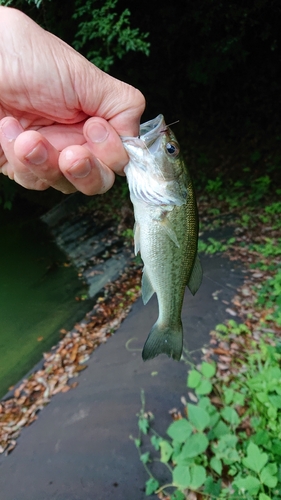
37, 296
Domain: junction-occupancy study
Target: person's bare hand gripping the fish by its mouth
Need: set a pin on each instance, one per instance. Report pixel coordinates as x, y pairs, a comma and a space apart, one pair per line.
61, 117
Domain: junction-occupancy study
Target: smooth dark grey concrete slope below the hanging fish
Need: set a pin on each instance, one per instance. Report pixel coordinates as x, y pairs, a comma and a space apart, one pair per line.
79, 448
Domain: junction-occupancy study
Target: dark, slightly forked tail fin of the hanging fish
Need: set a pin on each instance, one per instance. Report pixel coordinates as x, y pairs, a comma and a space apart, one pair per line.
164, 340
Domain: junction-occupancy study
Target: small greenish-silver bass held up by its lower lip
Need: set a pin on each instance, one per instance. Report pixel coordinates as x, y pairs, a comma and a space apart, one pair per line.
165, 230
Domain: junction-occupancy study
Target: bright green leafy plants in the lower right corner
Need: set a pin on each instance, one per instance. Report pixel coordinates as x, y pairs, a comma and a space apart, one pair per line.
229, 443
